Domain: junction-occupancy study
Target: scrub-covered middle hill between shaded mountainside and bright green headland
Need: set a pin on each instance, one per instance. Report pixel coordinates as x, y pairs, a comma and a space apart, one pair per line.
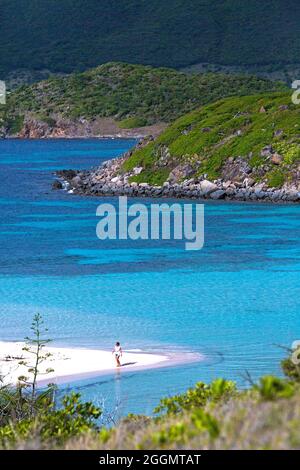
134, 95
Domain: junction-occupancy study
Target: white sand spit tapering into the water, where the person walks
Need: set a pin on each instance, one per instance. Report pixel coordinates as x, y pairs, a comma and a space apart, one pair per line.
71, 364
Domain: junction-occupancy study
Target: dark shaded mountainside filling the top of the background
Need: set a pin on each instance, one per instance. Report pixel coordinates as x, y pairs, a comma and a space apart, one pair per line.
66, 36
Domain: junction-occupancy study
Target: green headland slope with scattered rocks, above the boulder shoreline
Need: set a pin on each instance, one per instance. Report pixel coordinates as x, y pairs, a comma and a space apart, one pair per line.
257, 137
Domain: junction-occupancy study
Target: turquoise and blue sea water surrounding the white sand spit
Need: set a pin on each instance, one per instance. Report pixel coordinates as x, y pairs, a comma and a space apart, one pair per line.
235, 301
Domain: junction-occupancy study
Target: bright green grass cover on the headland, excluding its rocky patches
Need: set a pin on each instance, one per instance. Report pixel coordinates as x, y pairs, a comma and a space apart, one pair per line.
207, 137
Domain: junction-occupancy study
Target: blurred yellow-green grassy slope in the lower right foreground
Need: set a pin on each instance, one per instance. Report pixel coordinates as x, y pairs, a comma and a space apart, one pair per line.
244, 423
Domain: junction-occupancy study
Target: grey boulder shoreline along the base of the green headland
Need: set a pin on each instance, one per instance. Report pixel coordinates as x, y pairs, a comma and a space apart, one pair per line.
109, 179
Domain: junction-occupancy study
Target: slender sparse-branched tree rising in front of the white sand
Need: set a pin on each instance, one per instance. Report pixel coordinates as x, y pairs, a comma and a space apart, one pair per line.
35, 347
